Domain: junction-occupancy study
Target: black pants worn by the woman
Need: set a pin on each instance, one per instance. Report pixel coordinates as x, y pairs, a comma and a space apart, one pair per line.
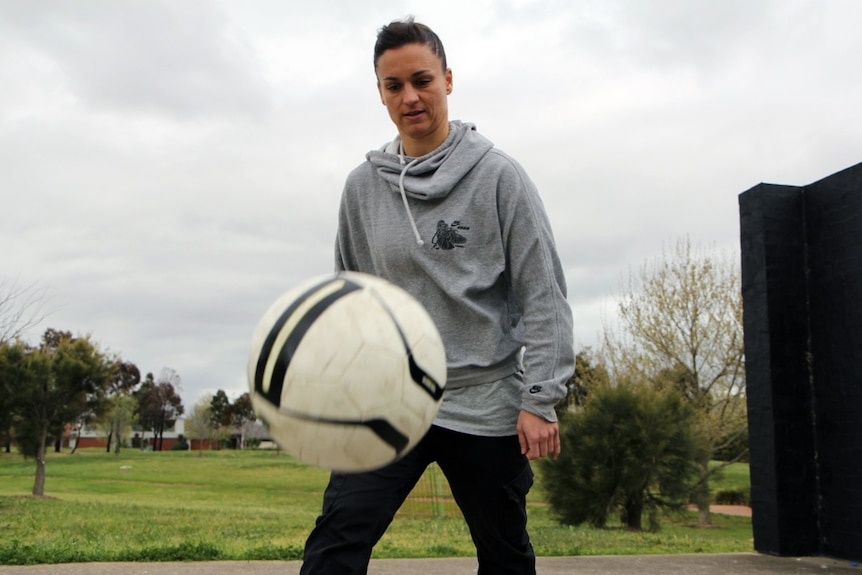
489, 479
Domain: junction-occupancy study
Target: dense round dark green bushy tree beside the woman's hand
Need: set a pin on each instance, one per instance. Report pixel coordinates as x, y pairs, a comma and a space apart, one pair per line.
631, 449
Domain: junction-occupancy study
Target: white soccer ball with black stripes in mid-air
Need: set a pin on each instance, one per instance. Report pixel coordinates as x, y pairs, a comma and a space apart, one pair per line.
347, 371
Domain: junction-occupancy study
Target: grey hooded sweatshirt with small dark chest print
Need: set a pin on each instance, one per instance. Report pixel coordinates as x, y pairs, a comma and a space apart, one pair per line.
464, 231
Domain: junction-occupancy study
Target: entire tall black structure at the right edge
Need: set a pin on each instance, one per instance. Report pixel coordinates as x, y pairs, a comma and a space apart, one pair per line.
802, 296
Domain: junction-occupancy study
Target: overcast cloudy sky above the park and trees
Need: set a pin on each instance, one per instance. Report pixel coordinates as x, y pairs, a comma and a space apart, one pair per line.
168, 168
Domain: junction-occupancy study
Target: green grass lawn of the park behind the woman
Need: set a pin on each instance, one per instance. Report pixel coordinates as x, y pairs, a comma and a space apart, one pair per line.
253, 505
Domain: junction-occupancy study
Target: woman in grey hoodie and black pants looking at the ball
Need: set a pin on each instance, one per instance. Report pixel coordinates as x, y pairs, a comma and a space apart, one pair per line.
457, 223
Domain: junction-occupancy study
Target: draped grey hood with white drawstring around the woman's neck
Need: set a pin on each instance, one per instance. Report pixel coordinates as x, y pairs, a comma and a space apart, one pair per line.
433, 175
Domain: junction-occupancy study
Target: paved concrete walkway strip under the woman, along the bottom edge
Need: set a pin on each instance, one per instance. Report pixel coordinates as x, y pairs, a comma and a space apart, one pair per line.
705, 564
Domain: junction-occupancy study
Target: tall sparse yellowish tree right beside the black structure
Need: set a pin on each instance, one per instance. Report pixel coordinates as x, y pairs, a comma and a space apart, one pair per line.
680, 326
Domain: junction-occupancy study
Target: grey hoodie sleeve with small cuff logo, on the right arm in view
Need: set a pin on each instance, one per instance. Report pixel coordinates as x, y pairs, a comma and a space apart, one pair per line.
538, 288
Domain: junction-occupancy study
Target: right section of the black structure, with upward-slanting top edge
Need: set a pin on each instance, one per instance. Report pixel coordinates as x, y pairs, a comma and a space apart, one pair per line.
834, 216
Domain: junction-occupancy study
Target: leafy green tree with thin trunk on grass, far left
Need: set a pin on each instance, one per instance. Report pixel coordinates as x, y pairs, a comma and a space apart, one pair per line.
54, 384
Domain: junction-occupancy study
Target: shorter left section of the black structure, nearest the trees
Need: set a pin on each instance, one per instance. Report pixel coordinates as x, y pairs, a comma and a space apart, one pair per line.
780, 415
